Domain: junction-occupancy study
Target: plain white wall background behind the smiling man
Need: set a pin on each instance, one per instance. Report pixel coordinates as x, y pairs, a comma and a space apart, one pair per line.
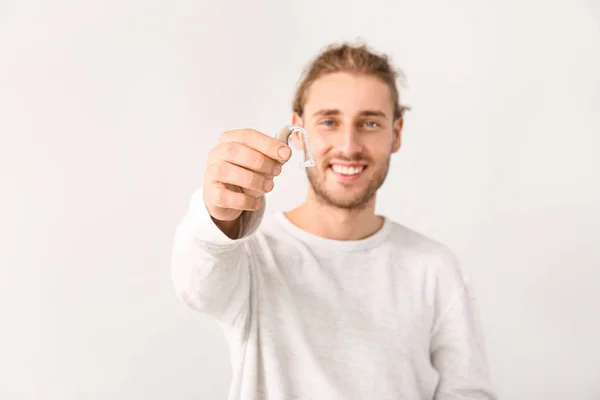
108, 110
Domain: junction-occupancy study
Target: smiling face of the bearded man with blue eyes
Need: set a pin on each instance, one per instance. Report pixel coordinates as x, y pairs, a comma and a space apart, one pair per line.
352, 134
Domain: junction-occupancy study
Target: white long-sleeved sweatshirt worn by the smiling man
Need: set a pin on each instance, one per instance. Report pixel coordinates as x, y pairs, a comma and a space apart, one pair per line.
386, 317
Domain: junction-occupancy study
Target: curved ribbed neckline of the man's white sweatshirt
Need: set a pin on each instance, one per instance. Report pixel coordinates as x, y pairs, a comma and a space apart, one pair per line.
347, 245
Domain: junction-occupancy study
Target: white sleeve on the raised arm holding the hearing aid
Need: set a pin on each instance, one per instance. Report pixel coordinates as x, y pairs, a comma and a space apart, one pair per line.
210, 270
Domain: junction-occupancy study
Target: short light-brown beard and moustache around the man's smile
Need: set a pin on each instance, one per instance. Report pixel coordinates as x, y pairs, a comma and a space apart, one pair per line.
349, 200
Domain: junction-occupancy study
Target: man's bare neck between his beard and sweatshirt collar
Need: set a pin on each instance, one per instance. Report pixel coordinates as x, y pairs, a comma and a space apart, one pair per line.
336, 223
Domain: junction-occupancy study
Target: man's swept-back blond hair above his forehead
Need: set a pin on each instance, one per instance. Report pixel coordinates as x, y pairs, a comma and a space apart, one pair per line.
354, 58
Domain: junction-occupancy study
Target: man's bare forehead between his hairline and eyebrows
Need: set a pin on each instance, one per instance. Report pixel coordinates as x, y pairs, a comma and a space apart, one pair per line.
349, 93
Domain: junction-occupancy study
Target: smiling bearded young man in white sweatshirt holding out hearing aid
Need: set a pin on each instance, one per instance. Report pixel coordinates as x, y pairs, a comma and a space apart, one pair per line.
329, 300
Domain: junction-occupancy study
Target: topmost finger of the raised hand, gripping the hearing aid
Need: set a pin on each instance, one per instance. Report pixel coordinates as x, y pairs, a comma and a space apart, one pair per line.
271, 147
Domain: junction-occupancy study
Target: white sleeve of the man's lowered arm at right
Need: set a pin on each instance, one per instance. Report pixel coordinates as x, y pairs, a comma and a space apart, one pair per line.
457, 344
